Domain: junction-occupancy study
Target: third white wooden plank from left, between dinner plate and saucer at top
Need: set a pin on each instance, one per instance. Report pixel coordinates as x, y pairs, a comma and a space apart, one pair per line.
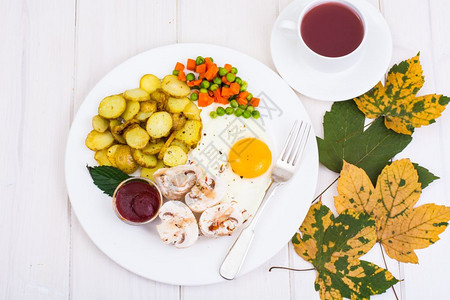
244, 26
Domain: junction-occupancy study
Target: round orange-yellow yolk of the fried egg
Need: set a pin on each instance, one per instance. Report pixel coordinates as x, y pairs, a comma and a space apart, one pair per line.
250, 158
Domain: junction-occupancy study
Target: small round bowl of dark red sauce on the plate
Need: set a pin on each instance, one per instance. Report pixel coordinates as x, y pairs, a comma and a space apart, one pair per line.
137, 201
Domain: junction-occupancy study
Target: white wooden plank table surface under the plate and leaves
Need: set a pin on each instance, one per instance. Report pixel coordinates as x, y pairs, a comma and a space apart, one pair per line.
53, 52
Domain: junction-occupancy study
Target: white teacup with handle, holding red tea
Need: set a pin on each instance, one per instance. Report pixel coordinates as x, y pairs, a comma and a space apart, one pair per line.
318, 61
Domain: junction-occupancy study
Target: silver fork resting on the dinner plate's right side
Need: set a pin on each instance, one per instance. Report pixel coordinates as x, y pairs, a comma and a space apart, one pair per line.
283, 171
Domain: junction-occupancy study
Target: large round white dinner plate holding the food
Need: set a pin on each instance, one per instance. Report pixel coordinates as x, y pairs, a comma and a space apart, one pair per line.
139, 249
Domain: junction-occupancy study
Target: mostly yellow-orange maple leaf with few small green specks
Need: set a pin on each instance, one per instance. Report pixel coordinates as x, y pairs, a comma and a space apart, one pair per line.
401, 227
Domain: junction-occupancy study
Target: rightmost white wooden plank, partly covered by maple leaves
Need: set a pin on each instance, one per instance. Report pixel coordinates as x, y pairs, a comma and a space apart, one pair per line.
423, 26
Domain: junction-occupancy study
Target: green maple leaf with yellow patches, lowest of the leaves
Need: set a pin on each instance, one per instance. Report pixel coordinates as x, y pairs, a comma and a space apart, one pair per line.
334, 245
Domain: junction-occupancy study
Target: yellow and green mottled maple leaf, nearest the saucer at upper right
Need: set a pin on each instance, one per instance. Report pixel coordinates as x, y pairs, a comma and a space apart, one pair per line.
397, 101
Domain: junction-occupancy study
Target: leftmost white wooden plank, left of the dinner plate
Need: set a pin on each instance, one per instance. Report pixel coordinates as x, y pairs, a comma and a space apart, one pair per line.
36, 80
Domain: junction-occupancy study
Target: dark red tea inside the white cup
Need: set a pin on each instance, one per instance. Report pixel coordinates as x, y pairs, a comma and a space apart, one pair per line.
332, 29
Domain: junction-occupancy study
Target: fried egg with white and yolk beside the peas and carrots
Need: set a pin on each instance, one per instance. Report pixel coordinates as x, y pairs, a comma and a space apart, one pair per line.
236, 150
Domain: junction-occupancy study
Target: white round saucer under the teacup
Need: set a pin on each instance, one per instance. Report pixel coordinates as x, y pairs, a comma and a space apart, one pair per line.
339, 86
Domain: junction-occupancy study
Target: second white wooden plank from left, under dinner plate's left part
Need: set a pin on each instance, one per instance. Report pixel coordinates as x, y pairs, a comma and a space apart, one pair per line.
107, 34
